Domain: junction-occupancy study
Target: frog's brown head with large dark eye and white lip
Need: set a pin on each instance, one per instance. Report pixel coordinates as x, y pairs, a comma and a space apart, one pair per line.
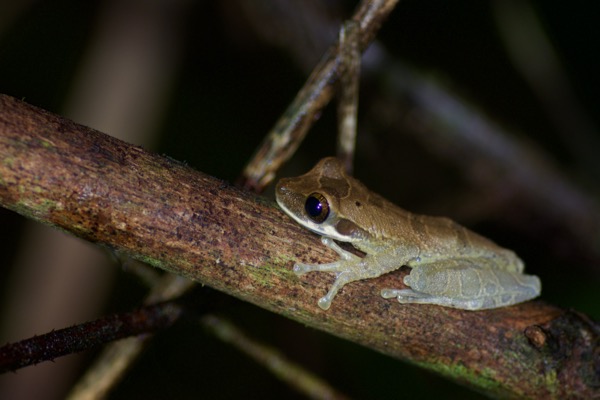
323, 200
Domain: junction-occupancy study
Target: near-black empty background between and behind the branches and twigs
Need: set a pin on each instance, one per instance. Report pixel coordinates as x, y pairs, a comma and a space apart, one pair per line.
229, 88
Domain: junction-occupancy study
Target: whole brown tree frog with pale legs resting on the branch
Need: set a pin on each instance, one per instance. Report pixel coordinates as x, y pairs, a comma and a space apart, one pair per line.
450, 265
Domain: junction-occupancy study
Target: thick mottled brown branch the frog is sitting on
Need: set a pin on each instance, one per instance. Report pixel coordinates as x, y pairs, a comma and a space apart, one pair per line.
162, 212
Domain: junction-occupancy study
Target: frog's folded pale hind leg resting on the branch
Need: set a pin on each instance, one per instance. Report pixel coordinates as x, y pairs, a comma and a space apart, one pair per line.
465, 285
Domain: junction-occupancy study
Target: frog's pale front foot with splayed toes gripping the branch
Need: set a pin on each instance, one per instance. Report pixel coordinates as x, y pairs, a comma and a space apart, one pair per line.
342, 267
